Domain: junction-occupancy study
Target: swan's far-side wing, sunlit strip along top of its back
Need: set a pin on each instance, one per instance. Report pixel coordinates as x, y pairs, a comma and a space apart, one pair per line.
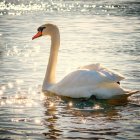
112, 75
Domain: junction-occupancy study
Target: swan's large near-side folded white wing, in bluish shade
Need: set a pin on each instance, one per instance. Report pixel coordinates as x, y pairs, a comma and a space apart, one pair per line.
80, 83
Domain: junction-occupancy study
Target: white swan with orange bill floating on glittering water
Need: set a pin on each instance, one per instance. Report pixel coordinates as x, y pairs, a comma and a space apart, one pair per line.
86, 81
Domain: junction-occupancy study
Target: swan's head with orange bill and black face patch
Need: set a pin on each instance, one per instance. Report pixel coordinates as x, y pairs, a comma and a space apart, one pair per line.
46, 29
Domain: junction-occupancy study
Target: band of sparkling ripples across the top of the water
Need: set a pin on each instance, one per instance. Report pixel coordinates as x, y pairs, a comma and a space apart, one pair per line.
103, 8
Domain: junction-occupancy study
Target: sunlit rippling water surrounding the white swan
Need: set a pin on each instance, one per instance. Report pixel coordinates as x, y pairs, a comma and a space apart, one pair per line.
106, 32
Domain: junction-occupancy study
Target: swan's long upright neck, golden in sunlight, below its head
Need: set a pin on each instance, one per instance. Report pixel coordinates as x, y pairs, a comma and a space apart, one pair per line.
51, 68
